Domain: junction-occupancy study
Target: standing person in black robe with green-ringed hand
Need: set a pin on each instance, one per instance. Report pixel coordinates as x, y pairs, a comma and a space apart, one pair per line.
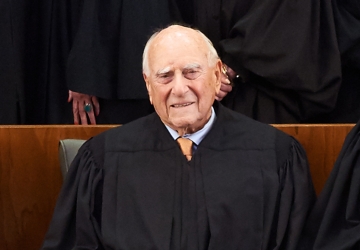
104, 66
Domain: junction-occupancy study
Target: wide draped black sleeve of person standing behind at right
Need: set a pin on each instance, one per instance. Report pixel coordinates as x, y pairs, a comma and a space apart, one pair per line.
291, 45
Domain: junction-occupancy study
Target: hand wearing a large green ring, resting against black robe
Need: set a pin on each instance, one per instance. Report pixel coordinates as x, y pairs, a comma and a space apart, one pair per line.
79, 101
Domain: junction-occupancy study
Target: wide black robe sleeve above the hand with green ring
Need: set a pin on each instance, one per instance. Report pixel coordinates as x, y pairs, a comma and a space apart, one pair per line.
105, 59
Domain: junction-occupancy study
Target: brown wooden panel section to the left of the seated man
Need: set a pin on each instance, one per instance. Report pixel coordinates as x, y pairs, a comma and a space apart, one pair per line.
30, 180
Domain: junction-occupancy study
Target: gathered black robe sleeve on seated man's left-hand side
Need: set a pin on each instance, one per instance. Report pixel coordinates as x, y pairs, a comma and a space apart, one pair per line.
74, 224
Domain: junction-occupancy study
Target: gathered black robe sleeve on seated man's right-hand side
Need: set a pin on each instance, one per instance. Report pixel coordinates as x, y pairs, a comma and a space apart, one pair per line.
297, 197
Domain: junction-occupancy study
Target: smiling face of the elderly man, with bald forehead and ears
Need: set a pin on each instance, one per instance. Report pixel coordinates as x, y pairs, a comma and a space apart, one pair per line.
181, 85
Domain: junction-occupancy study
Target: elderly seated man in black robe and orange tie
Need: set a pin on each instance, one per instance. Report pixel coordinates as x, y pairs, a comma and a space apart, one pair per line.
241, 184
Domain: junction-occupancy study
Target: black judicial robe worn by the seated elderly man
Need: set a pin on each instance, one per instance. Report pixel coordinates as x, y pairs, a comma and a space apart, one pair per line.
247, 187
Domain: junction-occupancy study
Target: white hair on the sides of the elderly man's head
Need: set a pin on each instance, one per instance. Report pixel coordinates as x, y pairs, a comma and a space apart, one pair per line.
212, 55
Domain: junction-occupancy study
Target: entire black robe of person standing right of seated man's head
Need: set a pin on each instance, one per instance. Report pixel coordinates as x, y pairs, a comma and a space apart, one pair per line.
285, 51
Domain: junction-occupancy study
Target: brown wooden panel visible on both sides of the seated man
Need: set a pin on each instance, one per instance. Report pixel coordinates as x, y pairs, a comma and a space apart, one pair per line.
30, 177
